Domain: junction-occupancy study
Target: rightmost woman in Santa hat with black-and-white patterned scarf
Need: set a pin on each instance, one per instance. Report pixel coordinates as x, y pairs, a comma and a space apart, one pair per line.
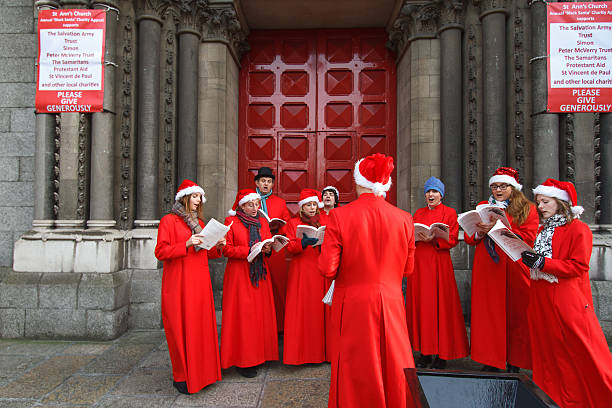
571, 359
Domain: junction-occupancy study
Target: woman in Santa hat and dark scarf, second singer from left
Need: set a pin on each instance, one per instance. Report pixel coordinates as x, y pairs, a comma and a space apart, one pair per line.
248, 324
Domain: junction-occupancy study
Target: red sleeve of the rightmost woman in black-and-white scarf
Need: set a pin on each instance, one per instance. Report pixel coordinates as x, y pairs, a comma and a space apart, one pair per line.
576, 262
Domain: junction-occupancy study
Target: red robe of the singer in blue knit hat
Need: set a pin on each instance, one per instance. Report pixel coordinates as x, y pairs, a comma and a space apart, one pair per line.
433, 308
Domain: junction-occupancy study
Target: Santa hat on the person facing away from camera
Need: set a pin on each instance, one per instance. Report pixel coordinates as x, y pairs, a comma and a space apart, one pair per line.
374, 172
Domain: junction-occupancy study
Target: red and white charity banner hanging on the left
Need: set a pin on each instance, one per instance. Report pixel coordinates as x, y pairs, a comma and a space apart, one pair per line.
70, 71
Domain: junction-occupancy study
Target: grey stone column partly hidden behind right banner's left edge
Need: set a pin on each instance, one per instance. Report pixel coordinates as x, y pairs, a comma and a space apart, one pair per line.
545, 125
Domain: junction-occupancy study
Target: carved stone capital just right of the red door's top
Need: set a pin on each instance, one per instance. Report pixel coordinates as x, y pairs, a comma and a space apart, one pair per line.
415, 21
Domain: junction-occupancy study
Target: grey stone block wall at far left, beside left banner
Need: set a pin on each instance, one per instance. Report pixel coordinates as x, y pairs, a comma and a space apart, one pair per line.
17, 87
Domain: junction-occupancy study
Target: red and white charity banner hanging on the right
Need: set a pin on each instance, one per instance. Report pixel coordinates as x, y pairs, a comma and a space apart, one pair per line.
579, 57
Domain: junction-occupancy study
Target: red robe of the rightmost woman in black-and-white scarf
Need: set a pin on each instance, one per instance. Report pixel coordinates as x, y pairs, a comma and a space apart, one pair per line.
571, 359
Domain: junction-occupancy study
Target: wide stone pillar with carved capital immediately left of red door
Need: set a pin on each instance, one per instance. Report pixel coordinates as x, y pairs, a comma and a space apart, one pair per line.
223, 41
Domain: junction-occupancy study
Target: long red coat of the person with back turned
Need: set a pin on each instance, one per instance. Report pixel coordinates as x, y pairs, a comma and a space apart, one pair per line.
368, 248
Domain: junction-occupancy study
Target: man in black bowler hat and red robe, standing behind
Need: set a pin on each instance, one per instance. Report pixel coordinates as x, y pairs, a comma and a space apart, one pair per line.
275, 207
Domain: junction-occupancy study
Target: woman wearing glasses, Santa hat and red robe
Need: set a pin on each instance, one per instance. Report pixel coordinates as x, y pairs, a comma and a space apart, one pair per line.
500, 287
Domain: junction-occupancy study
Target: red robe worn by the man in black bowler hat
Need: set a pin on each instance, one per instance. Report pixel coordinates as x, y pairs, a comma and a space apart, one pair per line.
278, 265
